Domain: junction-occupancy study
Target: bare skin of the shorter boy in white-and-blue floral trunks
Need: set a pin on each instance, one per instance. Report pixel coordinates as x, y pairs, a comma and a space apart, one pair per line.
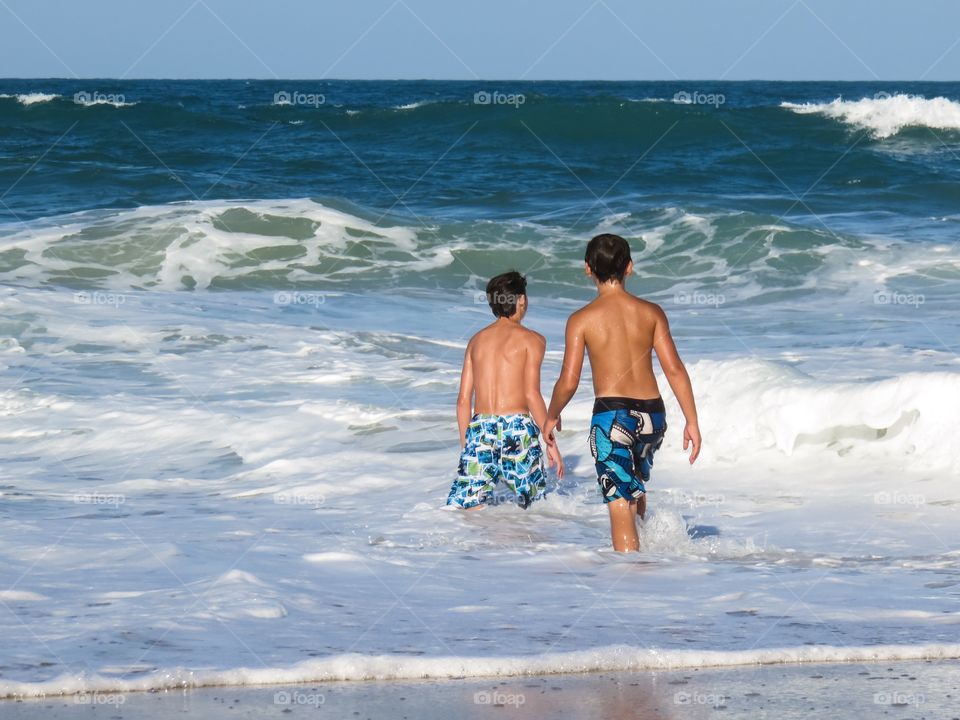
501, 376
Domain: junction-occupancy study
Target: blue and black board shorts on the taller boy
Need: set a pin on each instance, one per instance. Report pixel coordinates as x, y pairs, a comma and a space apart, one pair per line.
624, 435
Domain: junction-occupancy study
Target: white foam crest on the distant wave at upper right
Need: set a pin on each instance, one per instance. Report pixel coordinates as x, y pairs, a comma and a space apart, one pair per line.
886, 115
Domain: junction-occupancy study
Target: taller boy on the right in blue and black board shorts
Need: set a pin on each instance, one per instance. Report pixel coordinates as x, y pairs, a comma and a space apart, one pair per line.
621, 332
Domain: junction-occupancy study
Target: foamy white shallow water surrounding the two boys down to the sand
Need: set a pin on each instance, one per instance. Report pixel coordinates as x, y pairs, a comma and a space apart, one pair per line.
249, 515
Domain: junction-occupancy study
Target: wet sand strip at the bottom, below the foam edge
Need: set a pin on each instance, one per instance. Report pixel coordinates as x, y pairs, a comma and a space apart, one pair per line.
784, 691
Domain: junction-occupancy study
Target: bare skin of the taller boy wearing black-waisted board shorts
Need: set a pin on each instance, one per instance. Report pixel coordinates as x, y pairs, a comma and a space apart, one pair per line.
621, 332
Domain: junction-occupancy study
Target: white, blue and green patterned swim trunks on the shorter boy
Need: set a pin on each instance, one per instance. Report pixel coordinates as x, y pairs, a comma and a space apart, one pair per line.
499, 447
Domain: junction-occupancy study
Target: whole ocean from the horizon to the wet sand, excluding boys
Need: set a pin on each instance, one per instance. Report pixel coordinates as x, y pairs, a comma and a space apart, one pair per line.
233, 317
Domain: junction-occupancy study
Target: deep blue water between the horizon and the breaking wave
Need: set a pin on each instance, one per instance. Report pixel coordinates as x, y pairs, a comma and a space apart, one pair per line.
571, 150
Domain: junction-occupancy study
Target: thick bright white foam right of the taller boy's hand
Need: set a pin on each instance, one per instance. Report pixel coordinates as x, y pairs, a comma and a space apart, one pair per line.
906, 416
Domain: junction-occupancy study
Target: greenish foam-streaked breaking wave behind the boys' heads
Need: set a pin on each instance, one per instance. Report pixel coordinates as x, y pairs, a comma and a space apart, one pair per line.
199, 245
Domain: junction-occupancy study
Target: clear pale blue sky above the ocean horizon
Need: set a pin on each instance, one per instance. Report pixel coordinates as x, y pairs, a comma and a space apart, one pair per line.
491, 39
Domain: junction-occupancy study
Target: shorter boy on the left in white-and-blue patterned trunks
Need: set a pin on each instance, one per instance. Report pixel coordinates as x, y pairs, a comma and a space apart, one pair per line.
500, 409
